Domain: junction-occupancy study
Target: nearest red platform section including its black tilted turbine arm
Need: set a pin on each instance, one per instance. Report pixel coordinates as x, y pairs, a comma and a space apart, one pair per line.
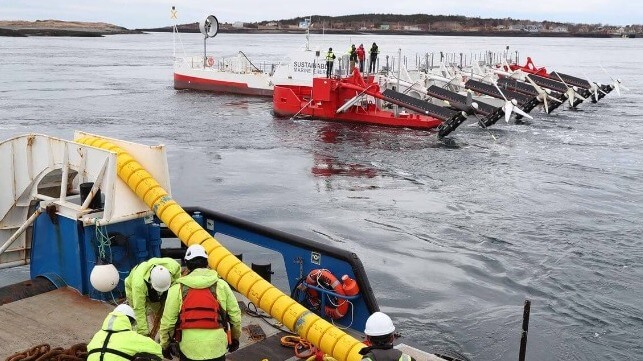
353, 99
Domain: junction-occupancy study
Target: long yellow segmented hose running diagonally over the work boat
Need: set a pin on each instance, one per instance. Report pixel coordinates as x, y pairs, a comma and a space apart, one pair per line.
280, 306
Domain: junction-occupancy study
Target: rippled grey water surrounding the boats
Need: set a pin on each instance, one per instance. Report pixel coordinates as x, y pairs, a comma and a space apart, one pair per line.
454, 235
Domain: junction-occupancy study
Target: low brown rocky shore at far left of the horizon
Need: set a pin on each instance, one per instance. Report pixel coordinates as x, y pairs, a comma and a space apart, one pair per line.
61, 28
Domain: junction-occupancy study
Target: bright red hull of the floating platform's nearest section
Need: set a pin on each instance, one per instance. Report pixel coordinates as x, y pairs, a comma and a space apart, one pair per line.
328, 95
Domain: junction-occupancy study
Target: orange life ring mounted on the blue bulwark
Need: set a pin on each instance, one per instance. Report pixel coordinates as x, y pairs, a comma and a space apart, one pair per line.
327, 295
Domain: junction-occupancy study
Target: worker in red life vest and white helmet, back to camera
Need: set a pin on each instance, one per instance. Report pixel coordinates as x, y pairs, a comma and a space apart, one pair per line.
196, 312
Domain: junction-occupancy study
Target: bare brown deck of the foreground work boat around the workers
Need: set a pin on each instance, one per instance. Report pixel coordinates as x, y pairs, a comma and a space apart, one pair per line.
63, 317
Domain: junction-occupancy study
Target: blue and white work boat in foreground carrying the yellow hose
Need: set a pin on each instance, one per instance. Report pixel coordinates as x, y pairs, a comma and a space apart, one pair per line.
83, 213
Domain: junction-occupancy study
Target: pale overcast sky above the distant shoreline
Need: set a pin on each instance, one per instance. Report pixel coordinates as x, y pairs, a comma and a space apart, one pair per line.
155, 13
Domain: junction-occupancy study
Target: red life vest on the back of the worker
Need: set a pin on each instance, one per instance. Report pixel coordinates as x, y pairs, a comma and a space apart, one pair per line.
200, 309
